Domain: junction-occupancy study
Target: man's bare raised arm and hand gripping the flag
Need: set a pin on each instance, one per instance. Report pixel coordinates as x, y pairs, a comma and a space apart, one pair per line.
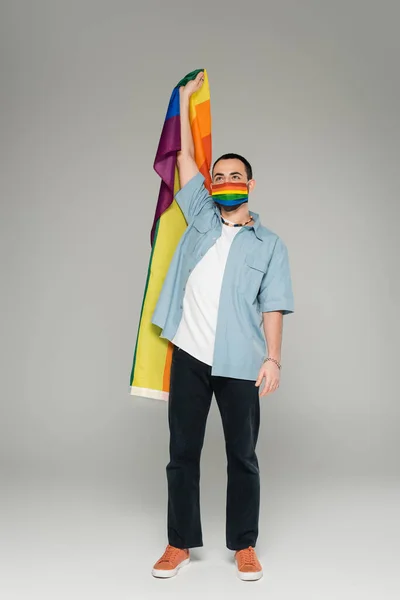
186, 164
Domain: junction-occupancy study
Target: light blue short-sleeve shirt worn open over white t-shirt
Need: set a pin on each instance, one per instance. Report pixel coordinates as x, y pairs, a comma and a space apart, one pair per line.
256, 280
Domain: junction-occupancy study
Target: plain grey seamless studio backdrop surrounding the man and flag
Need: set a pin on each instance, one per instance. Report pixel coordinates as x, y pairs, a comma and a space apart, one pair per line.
309, 92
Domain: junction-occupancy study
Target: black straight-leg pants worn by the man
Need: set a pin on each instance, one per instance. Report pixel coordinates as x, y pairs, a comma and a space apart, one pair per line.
191, 390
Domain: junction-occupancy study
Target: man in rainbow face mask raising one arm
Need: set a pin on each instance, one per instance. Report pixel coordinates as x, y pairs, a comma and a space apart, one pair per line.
228, 277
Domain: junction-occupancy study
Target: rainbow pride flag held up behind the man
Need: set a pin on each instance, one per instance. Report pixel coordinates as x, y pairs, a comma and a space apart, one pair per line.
150, 374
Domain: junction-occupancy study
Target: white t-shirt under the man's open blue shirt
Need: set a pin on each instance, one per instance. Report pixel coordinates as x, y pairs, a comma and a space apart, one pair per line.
196, 331
